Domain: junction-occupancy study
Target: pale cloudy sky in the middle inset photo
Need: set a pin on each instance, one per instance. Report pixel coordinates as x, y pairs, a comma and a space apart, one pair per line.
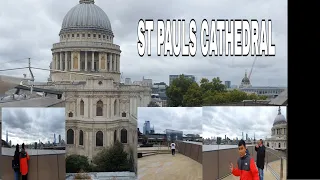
186, 119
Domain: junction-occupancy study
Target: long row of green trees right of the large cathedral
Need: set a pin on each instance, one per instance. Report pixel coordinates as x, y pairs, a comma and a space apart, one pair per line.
186, 93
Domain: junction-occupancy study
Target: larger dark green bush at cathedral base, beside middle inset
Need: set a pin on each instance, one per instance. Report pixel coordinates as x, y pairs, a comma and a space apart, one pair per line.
112, 159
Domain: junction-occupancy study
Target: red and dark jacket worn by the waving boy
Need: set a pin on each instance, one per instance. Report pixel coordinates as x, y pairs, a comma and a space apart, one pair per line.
246, 169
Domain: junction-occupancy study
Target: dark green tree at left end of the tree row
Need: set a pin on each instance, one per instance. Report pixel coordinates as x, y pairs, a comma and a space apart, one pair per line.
177, 90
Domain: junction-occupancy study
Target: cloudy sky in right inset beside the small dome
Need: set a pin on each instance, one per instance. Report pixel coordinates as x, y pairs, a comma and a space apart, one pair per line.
232, 121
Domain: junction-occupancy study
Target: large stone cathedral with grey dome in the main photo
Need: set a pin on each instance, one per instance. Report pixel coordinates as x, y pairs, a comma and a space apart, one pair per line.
99, 109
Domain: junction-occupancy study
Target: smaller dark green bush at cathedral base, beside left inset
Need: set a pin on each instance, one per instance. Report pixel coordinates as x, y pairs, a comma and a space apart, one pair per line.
76, 163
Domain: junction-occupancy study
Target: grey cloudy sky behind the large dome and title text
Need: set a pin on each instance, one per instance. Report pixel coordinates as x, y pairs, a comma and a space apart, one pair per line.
30, 27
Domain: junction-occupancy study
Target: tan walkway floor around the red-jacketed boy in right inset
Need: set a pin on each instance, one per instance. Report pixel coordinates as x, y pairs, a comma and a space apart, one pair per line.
267, 174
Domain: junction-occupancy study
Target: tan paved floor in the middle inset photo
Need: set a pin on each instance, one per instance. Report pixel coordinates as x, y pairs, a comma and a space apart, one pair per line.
166, 166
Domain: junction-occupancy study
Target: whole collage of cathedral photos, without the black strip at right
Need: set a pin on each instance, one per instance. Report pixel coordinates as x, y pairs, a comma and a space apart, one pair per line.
78, 102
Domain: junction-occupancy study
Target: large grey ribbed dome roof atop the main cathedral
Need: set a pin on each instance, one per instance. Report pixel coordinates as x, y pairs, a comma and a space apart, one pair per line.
86, 16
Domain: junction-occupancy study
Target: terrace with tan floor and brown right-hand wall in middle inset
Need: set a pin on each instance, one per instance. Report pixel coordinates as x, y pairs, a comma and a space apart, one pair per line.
184, 165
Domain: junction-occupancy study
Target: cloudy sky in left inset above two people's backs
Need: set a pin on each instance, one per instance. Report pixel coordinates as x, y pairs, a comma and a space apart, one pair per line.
29, 125
